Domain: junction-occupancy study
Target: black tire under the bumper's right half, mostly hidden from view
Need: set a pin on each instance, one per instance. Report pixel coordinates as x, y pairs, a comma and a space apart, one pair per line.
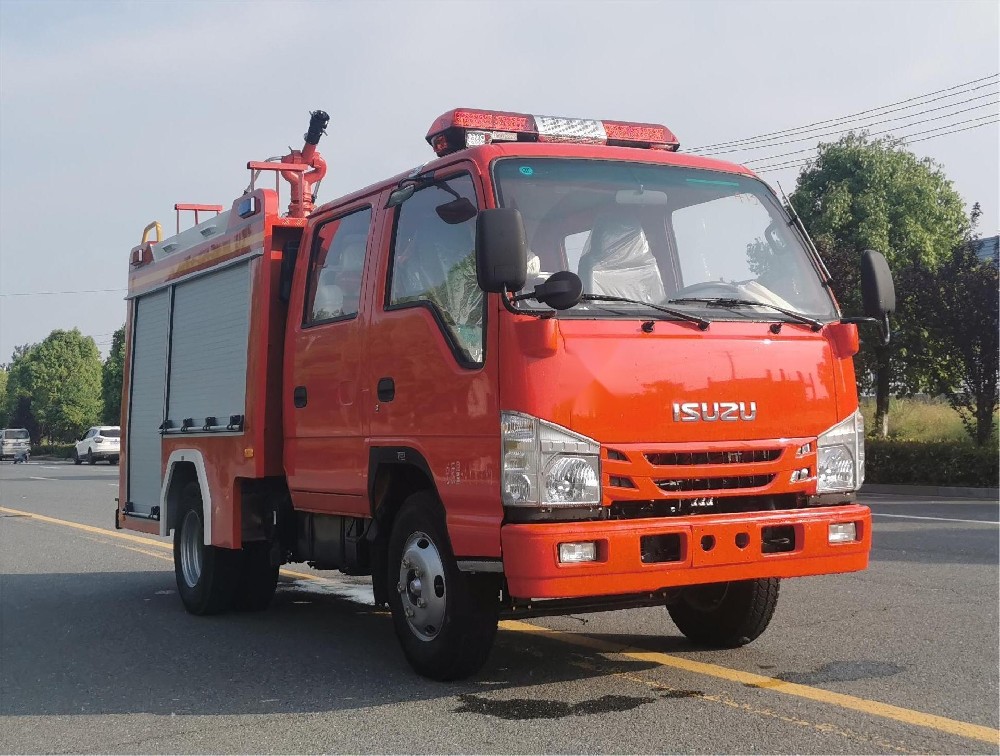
726, 615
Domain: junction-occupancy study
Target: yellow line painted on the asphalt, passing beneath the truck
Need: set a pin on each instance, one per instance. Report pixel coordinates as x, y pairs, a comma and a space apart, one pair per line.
842, 700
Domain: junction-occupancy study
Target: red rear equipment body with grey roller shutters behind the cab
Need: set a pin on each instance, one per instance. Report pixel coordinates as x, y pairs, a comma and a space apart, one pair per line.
203, 348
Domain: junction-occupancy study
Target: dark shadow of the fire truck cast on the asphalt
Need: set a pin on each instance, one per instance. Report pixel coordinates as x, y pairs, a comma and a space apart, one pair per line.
118, 642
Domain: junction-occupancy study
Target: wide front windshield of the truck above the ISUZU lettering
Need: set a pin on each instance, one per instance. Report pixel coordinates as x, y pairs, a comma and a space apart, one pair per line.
659, 234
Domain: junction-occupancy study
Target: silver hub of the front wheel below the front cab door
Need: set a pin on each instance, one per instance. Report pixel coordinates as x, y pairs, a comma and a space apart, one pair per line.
421, 586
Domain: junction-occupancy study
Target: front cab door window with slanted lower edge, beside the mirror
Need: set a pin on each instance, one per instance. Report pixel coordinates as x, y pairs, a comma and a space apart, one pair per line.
434, 262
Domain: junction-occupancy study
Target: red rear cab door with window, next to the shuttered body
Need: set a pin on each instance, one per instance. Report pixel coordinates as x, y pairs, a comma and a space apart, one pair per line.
325, 456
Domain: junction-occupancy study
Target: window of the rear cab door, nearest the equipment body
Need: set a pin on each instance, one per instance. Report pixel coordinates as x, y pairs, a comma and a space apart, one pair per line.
335, 270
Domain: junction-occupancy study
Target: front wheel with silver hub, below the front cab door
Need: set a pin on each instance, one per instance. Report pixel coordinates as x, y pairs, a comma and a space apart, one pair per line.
450, 635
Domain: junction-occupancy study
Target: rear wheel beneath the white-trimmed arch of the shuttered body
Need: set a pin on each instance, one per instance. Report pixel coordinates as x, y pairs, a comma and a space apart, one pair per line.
206, 575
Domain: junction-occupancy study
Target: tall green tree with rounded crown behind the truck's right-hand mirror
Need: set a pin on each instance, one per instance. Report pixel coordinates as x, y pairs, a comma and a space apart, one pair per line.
863, 194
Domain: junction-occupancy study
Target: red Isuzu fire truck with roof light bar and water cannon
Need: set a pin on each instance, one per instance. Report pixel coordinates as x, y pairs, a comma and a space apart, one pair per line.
562, 367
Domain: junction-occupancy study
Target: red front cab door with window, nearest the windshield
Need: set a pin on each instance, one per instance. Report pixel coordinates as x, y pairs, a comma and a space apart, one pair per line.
433, 356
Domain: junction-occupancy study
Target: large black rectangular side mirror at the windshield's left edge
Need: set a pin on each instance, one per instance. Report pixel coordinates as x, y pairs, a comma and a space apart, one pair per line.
501, 250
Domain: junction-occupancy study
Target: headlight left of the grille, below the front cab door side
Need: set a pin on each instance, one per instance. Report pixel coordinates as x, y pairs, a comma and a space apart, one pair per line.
545, 465
